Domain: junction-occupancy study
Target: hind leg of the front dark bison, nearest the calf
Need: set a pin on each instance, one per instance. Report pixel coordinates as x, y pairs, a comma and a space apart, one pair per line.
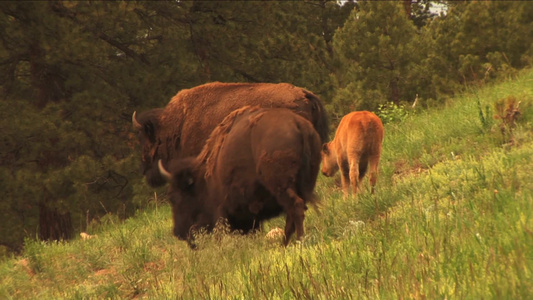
295, 208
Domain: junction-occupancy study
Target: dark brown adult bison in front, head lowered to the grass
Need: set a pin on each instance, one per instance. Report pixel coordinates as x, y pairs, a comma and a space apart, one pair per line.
256, 164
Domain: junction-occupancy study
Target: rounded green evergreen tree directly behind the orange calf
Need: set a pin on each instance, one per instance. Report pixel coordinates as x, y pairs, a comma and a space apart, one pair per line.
376, 49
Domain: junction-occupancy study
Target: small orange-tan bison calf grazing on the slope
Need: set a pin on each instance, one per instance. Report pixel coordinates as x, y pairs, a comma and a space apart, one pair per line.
357, 144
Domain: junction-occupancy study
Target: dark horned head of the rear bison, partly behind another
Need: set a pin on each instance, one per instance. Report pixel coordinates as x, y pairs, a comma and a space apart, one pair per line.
147, 124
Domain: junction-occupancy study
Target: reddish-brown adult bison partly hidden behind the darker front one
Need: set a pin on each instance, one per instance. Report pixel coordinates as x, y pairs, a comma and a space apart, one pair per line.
182, 127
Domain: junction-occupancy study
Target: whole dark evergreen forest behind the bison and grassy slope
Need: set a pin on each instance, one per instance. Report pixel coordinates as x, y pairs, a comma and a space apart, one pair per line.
72, 73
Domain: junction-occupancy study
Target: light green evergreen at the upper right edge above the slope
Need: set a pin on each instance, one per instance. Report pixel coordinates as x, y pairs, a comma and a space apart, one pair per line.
479, 41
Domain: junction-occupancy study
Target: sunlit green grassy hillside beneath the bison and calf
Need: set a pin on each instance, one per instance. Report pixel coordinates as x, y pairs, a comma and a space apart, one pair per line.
452, 217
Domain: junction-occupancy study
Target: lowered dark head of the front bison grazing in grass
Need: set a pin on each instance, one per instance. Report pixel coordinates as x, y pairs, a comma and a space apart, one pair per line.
187, 193
